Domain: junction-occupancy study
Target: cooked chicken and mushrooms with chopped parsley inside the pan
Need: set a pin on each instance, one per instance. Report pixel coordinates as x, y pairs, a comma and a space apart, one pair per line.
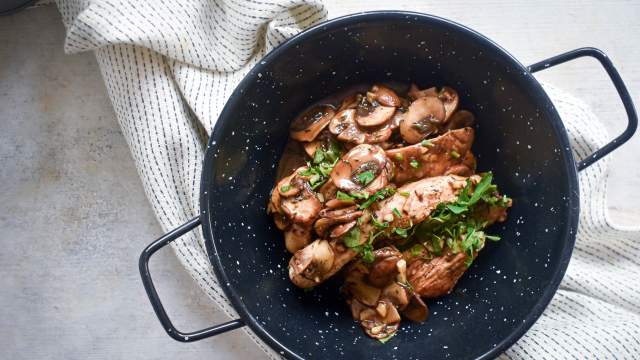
379, 186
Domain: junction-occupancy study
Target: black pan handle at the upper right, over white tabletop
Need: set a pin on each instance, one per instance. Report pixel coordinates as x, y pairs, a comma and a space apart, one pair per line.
617, 82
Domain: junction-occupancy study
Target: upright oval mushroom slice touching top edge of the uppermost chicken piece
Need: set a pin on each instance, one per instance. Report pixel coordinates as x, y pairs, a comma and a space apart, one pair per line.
422, 119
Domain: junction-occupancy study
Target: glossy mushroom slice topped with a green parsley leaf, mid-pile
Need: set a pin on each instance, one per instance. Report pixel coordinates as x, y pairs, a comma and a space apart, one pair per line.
365, 168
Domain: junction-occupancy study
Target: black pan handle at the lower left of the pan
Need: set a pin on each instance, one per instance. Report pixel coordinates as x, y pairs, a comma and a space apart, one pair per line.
153, 294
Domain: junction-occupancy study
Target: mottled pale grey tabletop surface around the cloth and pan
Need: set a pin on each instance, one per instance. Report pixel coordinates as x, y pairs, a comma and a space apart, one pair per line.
73, 215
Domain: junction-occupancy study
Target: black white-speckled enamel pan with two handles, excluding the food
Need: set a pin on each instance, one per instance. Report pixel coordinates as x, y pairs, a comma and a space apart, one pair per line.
519, 137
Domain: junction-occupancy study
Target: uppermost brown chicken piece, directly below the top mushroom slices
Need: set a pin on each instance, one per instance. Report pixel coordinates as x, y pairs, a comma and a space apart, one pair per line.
434, 157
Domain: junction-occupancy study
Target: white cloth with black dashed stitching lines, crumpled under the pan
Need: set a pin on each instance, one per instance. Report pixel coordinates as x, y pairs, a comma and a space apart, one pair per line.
169, 67
